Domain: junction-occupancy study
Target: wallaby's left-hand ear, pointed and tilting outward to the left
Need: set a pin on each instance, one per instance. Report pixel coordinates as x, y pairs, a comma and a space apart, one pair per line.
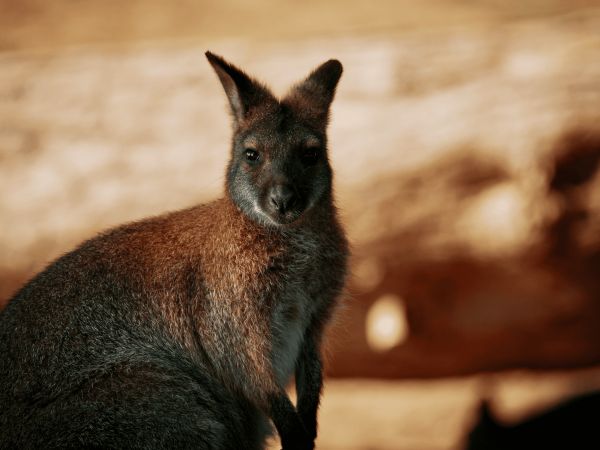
243, 92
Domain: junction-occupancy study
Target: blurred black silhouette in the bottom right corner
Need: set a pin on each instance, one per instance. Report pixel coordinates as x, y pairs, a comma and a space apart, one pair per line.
572, 425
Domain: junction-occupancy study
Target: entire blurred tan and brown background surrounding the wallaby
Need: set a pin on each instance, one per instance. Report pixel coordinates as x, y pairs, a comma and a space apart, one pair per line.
465, 141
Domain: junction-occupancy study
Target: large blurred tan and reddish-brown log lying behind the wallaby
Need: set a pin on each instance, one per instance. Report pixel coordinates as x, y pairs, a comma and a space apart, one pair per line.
445, 171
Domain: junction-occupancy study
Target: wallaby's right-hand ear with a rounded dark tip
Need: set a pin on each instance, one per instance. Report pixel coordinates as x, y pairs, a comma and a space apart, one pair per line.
315, 94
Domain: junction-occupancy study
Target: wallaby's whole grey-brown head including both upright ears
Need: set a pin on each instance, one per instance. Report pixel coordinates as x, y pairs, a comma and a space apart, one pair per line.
279, 168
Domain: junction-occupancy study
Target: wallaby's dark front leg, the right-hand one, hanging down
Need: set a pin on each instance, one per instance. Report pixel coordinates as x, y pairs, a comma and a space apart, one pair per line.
309, 382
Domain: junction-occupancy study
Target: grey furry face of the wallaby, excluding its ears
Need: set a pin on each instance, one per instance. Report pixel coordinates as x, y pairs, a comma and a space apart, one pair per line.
278, 169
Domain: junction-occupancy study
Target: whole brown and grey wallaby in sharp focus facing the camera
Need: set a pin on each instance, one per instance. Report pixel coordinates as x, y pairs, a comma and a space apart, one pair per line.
184, 330
